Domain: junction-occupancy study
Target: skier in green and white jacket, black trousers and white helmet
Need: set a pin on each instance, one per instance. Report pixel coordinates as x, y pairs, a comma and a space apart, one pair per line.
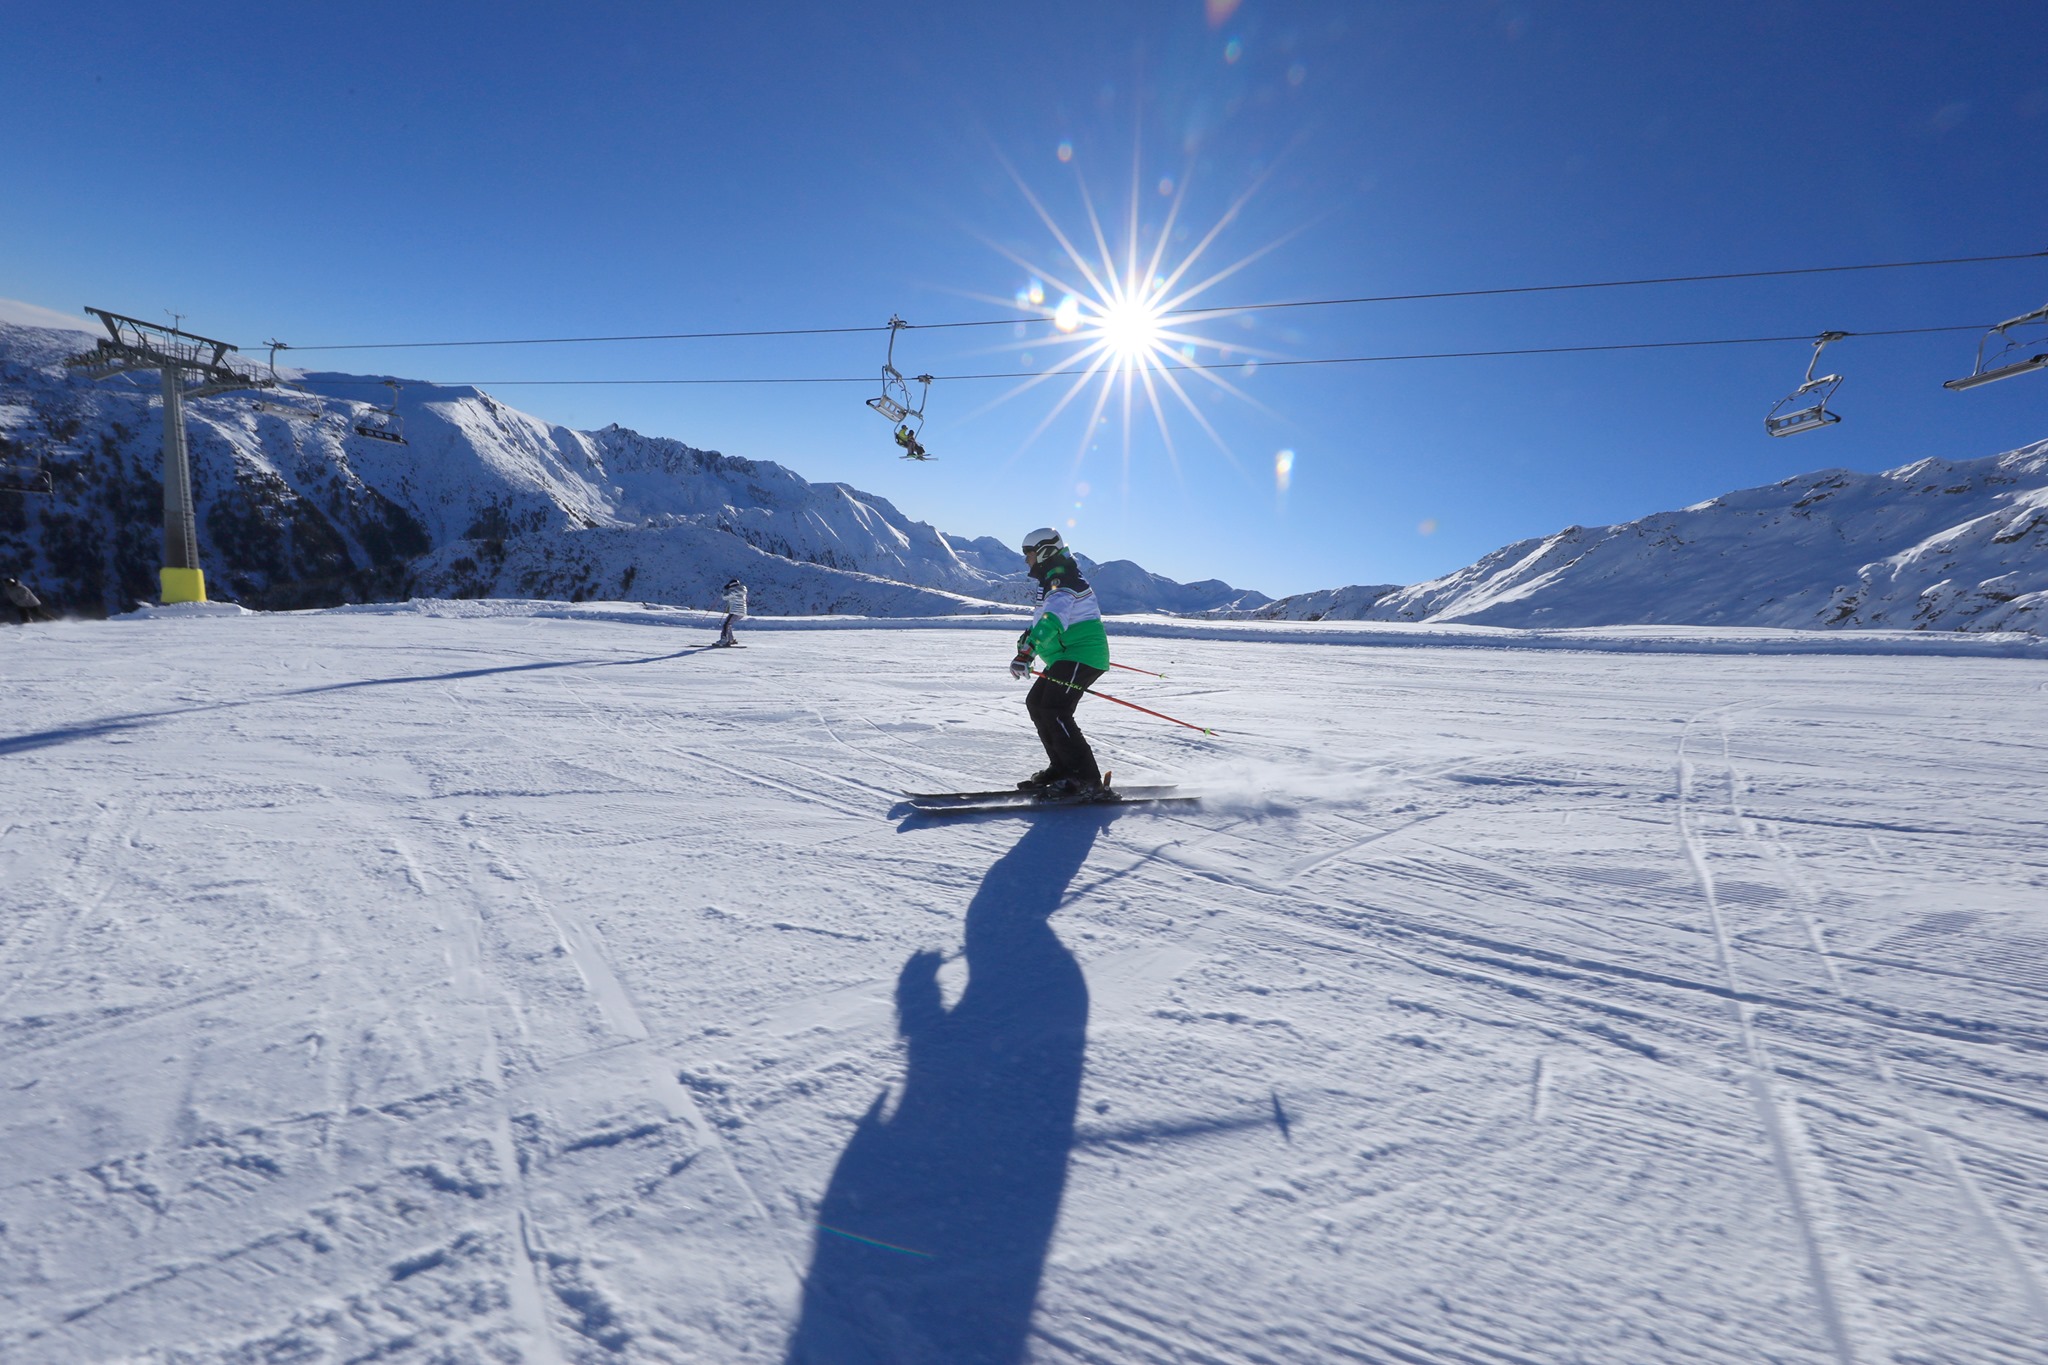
1076, 650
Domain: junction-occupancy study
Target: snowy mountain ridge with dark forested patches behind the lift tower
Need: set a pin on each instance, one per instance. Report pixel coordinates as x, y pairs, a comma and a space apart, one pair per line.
296, 509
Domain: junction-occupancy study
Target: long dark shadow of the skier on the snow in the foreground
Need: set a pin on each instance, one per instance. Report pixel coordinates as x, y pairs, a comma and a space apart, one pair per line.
935, 1229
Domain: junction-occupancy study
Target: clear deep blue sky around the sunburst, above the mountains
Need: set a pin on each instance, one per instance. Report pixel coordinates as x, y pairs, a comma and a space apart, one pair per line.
380, 173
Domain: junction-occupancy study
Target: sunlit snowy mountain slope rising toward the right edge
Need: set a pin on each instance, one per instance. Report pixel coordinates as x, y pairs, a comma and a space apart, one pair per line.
1936, 545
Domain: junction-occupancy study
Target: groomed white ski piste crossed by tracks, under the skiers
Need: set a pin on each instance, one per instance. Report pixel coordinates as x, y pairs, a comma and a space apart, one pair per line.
515, 983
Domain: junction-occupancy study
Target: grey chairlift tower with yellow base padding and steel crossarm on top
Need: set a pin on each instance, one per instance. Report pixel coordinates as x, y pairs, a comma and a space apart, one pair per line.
191, 367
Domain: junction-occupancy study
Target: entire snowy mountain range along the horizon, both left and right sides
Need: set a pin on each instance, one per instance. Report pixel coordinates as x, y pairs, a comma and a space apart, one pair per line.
486, 500
